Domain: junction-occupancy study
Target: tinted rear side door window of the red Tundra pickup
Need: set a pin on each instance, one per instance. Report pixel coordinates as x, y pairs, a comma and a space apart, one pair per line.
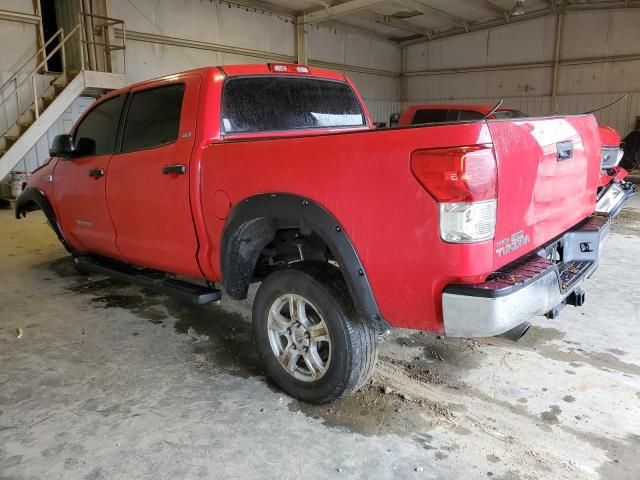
153, 118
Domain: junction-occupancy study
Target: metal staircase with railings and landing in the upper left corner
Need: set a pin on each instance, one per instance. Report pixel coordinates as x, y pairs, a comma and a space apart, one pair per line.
30, 108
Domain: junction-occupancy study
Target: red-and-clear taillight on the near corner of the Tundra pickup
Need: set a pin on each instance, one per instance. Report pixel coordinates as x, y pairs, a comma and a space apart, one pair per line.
463, 180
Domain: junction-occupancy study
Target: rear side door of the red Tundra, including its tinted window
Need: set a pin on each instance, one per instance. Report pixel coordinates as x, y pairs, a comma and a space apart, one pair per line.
148, 178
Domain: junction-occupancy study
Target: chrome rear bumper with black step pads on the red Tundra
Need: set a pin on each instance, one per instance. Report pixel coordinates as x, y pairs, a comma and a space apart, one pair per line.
538, 284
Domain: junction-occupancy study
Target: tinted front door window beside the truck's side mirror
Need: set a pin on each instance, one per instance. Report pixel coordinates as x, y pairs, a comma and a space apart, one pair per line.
96, 133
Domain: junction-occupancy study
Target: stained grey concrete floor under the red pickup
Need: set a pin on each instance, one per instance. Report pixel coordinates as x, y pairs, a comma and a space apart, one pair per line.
105, 384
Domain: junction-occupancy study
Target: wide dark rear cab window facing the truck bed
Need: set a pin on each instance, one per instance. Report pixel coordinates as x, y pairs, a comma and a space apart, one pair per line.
272, 103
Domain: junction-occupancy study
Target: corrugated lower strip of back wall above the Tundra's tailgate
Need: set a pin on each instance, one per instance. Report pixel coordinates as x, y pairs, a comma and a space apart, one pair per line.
621, 116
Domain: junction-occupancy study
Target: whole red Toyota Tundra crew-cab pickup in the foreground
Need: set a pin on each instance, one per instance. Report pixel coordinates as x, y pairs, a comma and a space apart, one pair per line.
275, 174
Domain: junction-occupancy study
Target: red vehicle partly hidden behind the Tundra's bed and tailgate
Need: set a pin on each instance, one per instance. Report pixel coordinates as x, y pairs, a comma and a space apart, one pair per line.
611, 184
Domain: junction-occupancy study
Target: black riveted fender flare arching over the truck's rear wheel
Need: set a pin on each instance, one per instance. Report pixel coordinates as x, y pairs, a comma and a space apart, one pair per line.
253, 223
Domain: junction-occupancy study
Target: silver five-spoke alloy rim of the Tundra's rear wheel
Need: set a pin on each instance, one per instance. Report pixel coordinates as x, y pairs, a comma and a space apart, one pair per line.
299, 337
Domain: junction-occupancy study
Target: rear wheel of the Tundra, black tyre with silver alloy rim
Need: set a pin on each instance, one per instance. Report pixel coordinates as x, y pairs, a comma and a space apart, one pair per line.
311, 340
